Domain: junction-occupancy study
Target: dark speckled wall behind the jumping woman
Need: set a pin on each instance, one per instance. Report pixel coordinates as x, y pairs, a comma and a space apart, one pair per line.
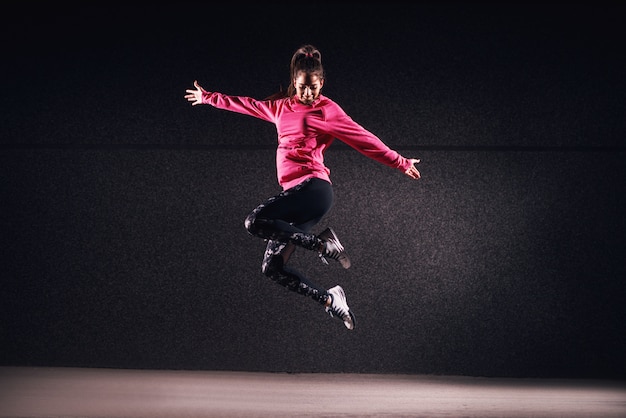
122, 236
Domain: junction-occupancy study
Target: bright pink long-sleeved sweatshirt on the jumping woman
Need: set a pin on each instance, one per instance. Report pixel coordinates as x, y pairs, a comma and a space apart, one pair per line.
305, 132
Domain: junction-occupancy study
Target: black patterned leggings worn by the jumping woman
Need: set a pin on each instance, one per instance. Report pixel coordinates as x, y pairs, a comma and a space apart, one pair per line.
284, 221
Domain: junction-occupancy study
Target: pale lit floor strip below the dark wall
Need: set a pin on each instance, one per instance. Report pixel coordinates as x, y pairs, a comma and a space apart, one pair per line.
96, 393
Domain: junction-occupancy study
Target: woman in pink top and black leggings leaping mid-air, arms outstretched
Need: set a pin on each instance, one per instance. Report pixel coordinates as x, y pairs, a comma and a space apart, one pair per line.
307, 123
